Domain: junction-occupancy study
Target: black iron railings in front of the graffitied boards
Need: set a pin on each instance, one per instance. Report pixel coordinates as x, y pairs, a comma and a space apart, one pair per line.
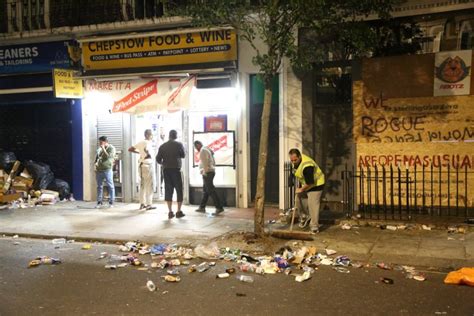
397, 192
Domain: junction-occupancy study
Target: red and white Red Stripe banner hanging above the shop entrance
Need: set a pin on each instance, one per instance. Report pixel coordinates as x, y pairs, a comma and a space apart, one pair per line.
140, 96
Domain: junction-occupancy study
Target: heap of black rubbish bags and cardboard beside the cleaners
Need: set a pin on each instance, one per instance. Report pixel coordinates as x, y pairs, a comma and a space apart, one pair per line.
29, 183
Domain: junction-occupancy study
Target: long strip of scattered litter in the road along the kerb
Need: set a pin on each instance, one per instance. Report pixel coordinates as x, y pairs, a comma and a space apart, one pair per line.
174, 260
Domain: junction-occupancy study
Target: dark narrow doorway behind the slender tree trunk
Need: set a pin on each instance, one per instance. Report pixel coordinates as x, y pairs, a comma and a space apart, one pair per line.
255, 112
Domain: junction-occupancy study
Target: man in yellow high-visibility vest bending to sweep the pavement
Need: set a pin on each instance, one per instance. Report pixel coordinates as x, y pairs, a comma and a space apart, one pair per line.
308, 195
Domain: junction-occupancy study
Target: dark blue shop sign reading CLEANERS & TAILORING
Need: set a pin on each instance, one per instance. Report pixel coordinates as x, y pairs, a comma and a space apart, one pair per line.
34, 58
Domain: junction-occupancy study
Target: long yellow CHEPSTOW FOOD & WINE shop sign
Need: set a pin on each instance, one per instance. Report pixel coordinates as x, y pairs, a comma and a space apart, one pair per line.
161, 49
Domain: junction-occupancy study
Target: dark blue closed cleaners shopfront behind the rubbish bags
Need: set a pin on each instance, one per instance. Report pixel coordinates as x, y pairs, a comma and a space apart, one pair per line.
35, 123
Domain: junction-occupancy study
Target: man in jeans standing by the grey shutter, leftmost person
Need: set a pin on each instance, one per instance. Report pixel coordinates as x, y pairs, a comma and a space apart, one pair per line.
104, 162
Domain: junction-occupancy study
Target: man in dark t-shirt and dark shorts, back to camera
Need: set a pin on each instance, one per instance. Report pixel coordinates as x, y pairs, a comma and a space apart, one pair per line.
169, 156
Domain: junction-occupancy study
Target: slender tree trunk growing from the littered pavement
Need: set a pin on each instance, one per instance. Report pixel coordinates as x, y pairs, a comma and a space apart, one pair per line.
259, 221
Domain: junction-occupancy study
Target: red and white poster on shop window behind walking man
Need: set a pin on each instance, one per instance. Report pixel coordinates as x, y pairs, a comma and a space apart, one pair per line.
221, 143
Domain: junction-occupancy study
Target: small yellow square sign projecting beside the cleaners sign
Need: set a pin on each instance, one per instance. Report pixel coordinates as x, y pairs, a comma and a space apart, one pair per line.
65, 85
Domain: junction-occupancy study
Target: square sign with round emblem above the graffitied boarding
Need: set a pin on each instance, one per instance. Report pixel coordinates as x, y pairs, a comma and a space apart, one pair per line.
452, 73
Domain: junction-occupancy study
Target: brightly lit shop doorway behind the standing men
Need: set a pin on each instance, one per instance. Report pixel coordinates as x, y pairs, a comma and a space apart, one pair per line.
160, 124
